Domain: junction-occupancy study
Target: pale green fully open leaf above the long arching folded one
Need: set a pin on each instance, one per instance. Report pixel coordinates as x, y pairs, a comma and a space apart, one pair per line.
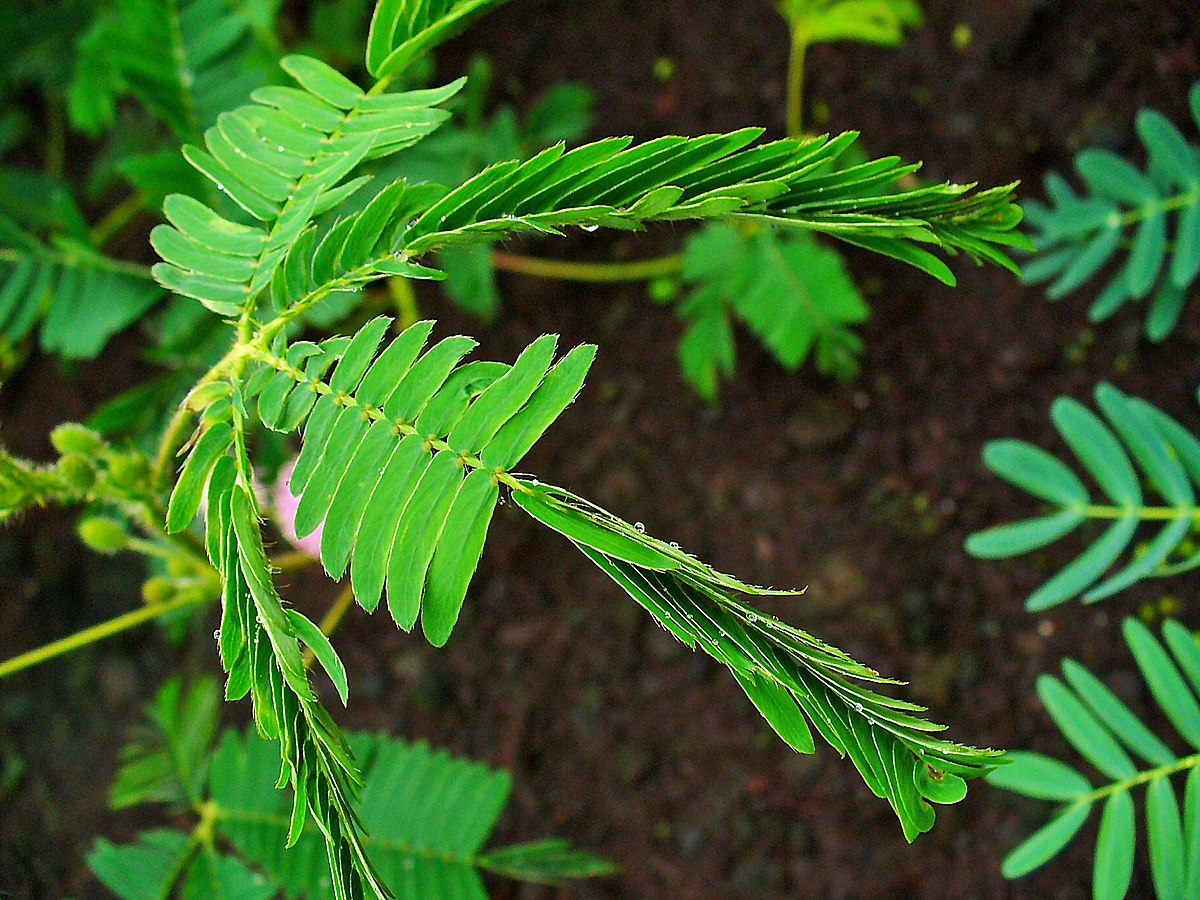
284, 160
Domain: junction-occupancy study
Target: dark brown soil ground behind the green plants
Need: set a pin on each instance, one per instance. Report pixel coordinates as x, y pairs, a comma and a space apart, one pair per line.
617, 737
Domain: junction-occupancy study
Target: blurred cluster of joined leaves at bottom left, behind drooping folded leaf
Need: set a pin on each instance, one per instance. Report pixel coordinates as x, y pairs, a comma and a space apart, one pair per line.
429, 815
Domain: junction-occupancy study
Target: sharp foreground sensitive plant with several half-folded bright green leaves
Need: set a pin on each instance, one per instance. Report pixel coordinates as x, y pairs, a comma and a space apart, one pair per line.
406, 451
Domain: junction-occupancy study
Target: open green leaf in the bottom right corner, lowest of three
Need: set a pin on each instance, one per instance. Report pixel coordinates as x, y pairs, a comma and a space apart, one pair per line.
1129, 757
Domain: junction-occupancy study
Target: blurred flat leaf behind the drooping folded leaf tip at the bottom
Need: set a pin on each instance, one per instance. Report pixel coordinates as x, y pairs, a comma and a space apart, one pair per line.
428, 817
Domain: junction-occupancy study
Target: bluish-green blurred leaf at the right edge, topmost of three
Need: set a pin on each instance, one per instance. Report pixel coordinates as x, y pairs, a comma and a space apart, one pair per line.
1149, 221
